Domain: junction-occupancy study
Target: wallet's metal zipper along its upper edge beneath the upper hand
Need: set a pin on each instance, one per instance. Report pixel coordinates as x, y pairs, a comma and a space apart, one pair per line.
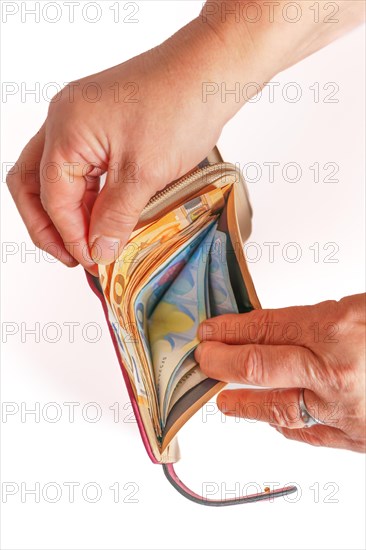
195, 181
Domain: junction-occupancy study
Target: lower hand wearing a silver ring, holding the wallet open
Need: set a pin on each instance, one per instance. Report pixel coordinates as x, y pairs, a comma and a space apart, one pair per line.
320, 348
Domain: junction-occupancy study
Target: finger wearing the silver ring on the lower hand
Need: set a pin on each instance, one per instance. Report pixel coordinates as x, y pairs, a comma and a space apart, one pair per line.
278, 407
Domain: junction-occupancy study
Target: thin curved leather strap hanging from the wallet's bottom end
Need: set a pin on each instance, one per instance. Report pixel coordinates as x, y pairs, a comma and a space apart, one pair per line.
178, 484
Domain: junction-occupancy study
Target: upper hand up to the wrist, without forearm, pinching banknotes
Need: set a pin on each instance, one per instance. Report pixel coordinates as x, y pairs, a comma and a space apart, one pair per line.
143, 122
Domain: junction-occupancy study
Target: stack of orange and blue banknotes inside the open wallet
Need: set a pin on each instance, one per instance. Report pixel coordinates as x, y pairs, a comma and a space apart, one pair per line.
171, 275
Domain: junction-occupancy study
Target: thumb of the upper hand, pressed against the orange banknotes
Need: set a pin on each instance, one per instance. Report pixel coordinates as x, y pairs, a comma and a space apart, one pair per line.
115, 213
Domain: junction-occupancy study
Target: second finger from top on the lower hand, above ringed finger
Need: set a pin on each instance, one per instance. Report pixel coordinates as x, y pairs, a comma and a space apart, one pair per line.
257, 365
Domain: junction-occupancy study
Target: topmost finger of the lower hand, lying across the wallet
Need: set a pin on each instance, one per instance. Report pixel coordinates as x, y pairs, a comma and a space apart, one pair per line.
291, 325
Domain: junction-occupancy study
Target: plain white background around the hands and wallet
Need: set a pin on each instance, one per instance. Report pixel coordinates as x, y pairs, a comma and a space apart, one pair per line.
35, 290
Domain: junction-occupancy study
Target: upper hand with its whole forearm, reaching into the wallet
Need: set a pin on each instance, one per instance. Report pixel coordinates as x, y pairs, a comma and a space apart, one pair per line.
149, 120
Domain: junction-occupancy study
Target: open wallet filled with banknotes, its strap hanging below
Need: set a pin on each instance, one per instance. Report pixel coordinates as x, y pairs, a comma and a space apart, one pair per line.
184, 263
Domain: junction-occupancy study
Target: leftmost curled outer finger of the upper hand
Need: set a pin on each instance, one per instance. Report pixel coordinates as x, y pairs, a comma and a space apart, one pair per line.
24, 185
